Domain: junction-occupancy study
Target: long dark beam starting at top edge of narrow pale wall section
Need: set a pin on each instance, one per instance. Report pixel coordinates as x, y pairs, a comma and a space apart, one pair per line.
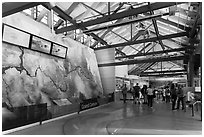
144, 40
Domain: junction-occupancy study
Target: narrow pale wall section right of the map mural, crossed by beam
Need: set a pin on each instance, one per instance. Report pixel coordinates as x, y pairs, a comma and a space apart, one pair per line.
107, 73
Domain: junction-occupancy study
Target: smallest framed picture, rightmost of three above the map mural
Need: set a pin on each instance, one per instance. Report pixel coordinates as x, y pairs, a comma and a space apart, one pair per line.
59, 51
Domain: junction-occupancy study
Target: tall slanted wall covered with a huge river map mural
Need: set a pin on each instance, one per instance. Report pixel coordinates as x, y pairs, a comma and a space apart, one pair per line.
30, 77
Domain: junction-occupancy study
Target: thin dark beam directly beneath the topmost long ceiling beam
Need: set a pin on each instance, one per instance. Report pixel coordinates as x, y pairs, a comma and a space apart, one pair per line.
126, 22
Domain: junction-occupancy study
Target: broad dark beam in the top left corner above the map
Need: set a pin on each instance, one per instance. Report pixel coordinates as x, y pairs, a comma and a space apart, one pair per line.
9, 8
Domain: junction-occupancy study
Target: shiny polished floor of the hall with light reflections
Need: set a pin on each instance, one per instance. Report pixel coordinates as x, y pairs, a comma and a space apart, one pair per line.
119, 118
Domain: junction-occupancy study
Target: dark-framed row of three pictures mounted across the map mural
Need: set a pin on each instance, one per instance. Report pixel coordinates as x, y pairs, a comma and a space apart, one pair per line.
22, 38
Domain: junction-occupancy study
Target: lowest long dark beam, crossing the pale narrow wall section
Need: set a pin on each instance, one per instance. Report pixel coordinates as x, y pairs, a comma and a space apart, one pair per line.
147, 60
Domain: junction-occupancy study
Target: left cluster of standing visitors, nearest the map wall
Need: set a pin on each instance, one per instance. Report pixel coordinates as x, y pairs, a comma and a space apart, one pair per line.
147, 93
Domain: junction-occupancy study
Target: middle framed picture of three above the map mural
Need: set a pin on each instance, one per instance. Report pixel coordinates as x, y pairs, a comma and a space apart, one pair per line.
40, 44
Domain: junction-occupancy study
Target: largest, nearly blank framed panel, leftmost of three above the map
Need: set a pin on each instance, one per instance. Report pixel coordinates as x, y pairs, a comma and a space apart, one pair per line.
14, 36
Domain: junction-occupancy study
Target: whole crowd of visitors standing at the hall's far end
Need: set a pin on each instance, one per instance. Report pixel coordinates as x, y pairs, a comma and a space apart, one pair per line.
174, 94
